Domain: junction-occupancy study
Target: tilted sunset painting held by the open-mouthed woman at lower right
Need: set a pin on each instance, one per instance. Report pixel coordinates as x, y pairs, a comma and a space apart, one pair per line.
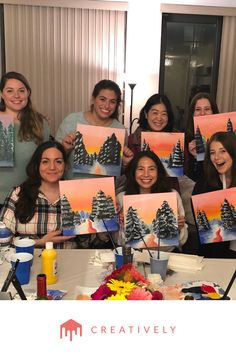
215, 215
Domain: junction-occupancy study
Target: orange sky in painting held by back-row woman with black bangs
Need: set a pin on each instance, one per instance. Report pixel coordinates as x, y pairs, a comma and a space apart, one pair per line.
162, 143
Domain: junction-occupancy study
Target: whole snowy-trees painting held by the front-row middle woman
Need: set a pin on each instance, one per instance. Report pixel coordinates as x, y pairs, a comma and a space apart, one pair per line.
149, 215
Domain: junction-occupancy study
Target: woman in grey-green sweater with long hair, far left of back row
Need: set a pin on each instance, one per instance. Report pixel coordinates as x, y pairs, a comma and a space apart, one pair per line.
30, 127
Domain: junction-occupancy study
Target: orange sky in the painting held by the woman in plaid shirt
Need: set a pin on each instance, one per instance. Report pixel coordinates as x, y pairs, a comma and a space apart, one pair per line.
80, 192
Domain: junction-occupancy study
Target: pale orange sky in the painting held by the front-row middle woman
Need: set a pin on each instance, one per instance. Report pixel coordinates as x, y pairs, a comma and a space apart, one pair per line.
153, 201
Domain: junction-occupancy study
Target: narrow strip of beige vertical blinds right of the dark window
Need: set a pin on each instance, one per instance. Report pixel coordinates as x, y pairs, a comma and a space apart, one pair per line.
226, 91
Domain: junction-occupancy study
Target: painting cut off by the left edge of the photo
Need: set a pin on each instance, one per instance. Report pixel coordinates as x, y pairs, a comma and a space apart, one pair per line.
6, 141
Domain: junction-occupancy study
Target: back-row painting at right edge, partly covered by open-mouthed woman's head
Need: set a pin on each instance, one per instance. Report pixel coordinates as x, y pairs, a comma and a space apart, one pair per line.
205, 126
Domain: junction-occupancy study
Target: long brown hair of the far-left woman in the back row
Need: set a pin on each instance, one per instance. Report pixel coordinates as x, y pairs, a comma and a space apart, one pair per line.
31, 121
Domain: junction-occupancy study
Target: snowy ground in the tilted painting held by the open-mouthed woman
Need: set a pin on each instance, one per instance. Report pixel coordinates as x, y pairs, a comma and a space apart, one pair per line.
209, 235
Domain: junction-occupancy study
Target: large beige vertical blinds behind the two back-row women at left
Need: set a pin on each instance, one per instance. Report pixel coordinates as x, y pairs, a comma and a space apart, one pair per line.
64, 53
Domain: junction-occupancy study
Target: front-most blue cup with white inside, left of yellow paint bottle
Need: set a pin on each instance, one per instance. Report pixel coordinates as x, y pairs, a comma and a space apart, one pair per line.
24, 266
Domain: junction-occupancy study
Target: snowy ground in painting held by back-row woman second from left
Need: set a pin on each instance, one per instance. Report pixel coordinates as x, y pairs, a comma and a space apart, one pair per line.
98, 169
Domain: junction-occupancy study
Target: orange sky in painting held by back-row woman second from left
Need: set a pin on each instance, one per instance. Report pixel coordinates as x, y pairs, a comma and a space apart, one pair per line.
94, 137
